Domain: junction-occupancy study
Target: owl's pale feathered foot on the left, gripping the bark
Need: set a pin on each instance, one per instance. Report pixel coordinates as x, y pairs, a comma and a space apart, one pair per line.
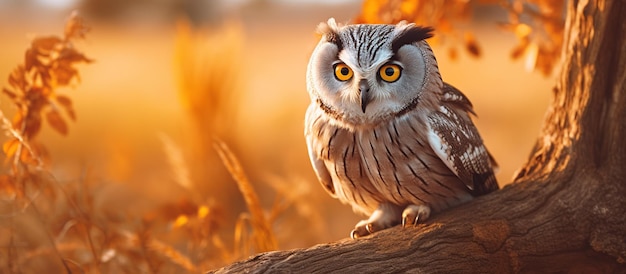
385, 216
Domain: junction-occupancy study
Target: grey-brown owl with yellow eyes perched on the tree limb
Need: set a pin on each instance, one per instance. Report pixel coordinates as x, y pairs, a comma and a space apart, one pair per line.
384, 133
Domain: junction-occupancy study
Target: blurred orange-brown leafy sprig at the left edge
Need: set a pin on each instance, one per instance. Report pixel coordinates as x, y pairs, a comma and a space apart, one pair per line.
48, 65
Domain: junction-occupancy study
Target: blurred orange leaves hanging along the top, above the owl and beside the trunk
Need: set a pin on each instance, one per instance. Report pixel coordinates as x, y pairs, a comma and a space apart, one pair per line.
537, 24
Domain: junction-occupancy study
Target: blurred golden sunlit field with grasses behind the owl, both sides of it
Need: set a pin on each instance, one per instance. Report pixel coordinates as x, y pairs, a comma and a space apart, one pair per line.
138, 183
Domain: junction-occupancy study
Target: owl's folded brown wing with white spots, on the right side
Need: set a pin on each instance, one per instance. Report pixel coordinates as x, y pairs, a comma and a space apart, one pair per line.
455, 139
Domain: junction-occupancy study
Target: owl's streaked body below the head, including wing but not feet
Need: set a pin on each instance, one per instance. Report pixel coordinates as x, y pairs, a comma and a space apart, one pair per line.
436, 159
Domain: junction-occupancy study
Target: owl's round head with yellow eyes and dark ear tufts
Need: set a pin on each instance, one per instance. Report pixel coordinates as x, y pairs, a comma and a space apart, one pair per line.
363, 74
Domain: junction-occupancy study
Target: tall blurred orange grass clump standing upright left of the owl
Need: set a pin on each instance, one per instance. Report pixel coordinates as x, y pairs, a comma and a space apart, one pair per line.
207, 65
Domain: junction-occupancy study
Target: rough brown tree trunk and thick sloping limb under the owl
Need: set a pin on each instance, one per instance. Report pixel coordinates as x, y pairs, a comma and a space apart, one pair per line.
565, 211
